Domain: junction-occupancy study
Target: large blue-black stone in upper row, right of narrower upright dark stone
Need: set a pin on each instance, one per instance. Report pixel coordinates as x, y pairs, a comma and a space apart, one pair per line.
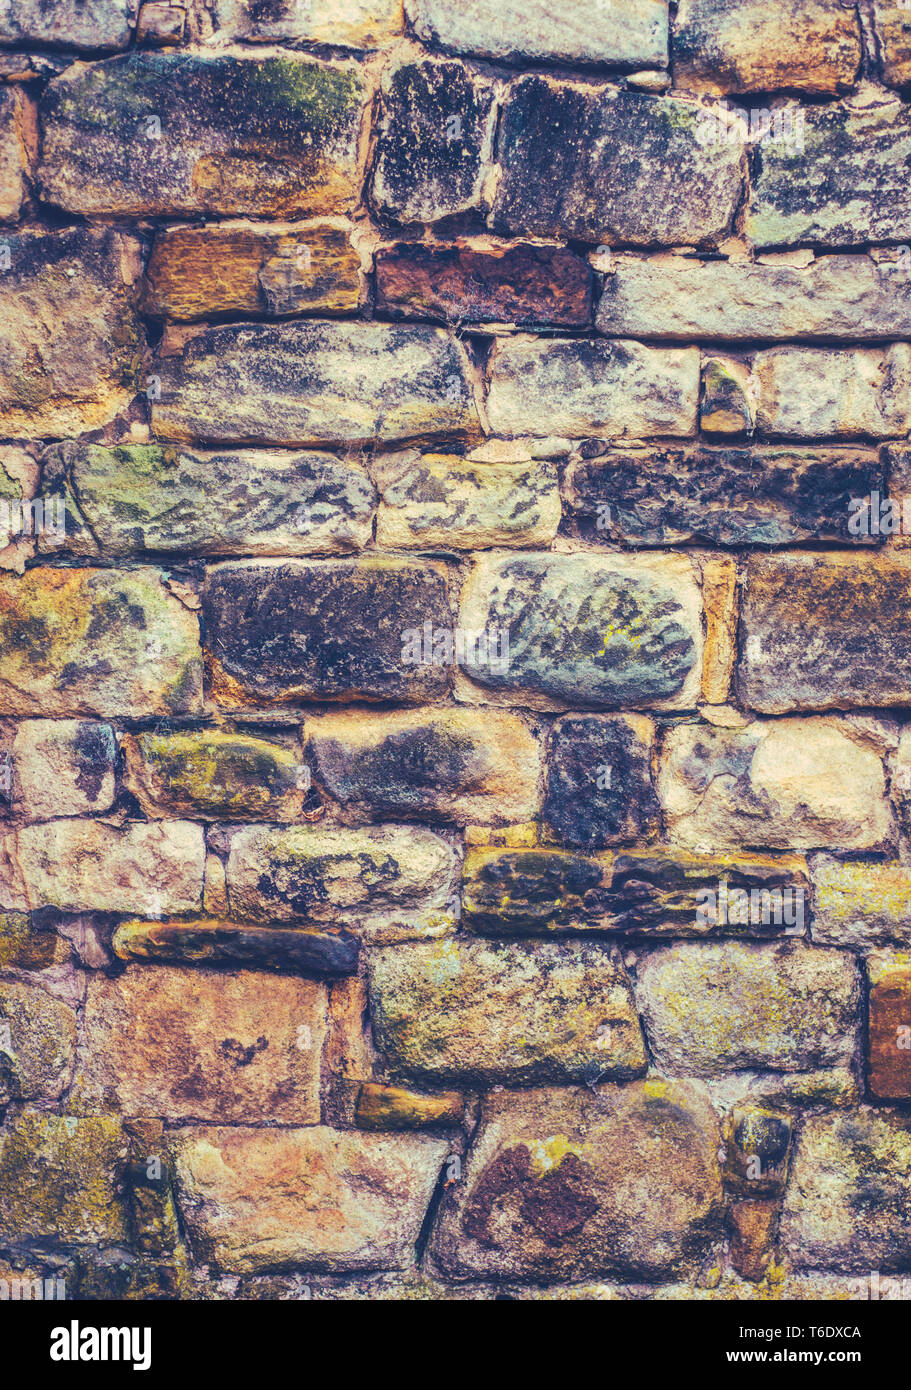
599, 165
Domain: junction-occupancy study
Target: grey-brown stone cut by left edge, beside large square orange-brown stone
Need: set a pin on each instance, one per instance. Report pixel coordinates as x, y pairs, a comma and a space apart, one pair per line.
38, 1038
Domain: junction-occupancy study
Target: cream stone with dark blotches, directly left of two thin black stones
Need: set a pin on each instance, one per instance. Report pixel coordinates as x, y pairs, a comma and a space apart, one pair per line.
375, 879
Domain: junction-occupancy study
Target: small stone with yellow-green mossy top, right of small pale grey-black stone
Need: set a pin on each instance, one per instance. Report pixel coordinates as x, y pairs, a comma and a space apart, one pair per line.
215, 776
